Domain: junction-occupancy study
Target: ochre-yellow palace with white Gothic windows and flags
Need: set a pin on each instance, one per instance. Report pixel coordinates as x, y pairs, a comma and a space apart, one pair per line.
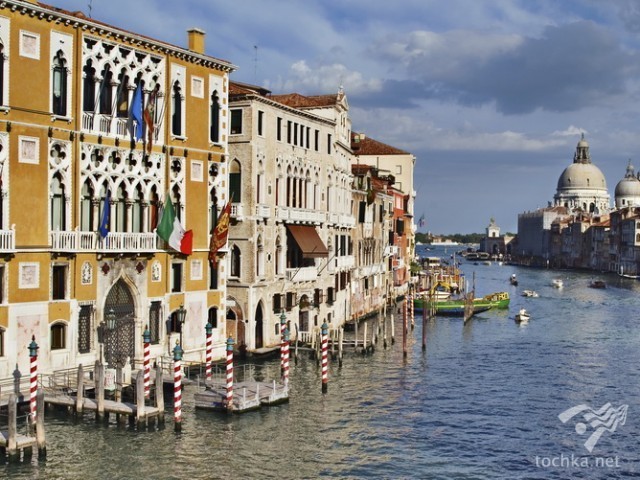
72, 91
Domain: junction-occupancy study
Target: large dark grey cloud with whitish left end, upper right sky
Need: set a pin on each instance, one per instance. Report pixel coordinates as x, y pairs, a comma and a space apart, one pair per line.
566, 69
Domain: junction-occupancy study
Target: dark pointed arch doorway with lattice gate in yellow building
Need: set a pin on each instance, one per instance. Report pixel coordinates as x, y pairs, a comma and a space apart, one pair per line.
119, 310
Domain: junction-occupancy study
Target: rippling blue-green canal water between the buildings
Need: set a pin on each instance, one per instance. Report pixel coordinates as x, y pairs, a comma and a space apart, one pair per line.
484, 401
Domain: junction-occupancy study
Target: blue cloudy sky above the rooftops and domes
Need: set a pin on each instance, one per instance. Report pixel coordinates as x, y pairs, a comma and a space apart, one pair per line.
490, 96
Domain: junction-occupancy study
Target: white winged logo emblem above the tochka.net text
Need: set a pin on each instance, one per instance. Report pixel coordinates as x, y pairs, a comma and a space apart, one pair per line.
605, 419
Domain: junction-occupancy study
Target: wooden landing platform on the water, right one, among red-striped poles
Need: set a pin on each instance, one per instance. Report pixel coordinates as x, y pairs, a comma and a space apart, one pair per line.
247, 396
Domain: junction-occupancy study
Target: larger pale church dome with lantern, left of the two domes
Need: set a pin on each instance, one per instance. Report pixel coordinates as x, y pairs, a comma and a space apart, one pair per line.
582, 185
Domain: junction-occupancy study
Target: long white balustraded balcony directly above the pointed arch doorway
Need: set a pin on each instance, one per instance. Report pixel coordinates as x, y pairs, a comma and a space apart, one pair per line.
117, 242
